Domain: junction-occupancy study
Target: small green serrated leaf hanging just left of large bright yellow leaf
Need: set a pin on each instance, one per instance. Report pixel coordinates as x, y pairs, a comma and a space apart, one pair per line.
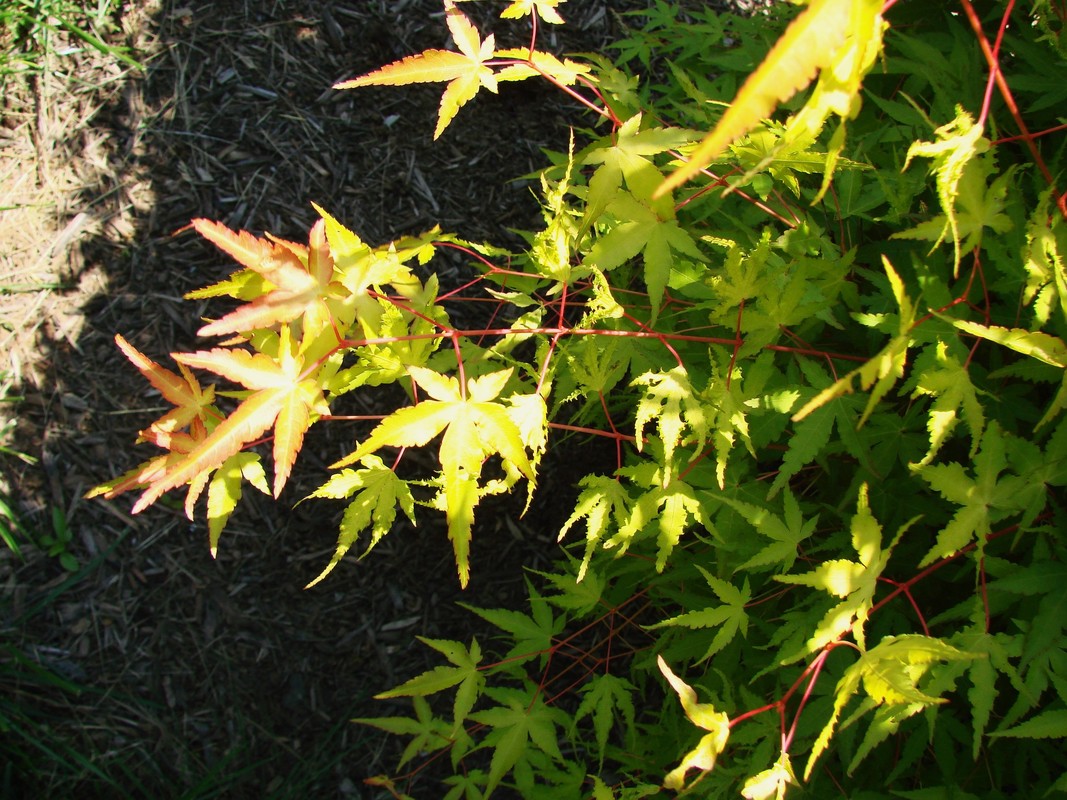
375, 506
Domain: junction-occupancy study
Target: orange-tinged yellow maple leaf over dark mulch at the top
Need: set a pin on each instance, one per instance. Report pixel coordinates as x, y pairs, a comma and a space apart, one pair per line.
466, 71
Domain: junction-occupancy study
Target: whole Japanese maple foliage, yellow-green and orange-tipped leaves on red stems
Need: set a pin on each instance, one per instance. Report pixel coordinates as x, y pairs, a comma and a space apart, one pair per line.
810, 283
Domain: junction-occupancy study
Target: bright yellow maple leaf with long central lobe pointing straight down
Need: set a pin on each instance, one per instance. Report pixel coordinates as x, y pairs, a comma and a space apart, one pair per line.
474, 429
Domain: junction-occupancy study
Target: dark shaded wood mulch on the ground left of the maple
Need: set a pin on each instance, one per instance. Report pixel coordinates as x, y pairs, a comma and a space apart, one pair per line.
203, 678
